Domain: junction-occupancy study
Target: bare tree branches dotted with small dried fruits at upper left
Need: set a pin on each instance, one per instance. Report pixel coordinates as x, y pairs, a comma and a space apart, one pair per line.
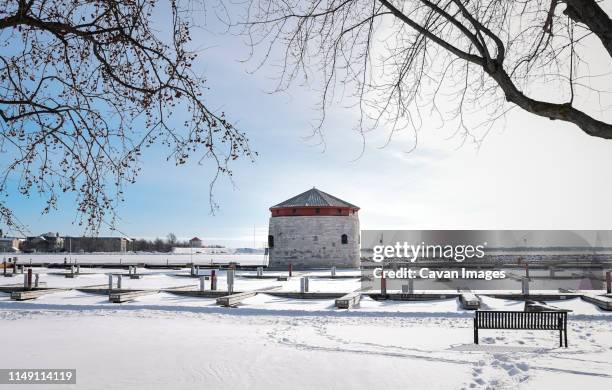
85, 86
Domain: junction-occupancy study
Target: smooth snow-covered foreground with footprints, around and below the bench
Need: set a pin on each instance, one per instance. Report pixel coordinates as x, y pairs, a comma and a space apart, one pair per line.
163, 349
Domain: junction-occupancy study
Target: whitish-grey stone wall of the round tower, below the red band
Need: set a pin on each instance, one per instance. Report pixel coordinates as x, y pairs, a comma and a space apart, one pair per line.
314, 242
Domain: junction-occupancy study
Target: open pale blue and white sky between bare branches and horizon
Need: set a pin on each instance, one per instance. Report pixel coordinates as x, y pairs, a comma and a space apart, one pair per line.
529, 173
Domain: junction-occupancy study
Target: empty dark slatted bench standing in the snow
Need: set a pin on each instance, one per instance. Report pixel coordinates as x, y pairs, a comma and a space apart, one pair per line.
520, 320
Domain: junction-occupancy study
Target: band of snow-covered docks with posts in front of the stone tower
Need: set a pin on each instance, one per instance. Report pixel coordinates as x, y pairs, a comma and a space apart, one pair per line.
341, 293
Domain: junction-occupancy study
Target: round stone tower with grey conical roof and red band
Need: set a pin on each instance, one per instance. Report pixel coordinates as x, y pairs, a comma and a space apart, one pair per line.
314, 229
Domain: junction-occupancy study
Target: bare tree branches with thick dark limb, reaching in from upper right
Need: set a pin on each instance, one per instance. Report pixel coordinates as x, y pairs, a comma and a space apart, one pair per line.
403, 61
